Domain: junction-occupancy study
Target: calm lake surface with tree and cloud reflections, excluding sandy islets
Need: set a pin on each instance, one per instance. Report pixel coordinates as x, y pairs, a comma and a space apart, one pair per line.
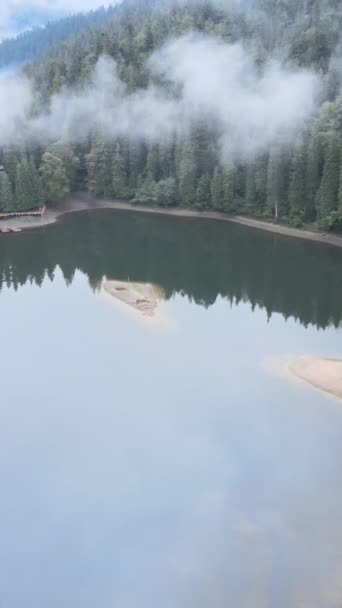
167, 465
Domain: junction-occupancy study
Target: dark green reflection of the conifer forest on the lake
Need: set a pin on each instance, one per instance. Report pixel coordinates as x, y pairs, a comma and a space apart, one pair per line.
196, 258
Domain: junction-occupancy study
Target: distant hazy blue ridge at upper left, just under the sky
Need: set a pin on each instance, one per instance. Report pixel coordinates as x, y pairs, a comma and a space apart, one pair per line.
33, 44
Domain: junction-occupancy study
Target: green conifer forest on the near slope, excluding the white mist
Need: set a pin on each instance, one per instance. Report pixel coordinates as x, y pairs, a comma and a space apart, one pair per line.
297, 179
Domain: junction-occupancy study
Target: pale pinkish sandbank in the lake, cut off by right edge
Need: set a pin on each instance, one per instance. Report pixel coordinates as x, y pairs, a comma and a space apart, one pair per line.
324, 374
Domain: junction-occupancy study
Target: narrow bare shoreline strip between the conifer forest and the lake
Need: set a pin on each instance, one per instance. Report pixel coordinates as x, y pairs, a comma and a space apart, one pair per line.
52, 215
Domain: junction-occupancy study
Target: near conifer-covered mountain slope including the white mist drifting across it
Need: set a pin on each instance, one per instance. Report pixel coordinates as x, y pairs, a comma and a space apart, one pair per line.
109, 113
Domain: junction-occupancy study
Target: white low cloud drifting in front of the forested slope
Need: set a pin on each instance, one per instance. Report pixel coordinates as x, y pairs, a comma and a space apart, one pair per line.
209, 80
